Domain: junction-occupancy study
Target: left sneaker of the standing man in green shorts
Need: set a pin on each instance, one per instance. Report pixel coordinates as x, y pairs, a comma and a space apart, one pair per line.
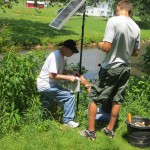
89, 134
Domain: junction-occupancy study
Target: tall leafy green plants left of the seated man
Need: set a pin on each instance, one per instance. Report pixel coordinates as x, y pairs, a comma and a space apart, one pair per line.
18, 86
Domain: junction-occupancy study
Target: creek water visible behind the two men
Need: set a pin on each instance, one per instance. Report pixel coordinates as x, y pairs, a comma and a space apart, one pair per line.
91, 57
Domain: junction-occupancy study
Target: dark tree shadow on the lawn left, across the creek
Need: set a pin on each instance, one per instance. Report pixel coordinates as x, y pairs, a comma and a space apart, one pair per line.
26, 32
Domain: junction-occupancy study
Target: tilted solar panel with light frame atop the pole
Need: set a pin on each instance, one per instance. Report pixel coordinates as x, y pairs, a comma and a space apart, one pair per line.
66, 13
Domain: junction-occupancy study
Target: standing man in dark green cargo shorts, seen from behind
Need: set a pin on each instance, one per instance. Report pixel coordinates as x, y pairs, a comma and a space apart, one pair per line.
121, 40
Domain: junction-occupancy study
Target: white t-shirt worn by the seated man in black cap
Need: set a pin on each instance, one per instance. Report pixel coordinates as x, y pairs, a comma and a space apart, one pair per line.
53, 64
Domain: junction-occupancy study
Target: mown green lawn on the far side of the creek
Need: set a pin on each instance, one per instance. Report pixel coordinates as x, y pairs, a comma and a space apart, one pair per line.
31, 27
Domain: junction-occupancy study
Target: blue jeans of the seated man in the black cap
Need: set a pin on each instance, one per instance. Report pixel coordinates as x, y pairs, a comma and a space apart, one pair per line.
64, 97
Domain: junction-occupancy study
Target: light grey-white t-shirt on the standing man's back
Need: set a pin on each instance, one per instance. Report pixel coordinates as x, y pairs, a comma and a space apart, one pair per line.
124, 34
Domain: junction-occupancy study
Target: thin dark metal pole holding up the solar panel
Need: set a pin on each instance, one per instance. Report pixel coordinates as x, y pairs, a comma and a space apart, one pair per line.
82, 38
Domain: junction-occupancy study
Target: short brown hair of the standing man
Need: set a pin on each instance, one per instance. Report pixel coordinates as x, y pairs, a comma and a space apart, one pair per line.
126, 5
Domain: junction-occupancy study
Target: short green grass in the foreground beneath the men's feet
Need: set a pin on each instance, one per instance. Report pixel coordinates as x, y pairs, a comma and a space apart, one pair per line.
58, 137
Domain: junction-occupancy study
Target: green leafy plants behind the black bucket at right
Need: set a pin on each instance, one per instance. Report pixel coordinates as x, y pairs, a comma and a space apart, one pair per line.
137, 98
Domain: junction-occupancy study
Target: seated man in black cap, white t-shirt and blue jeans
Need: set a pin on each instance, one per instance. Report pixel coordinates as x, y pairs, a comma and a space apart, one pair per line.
49, 81
